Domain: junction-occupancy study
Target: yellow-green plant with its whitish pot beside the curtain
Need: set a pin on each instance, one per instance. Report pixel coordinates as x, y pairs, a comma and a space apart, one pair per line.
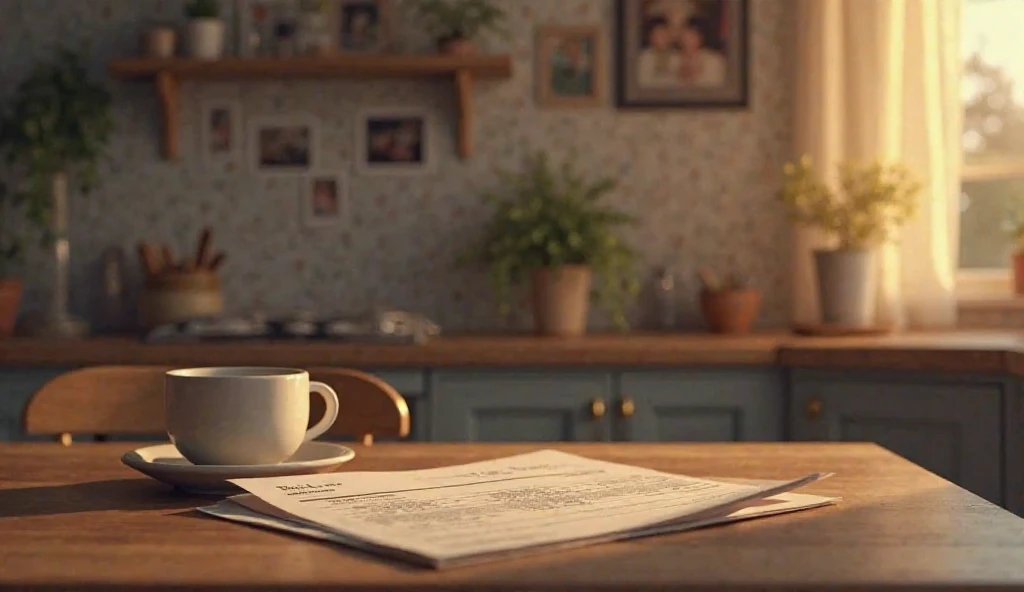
872, 203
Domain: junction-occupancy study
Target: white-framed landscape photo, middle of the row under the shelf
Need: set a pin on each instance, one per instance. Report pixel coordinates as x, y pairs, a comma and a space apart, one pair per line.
284, 145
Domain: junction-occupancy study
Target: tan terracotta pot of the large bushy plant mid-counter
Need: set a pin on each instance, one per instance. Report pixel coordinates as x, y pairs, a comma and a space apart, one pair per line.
562, 301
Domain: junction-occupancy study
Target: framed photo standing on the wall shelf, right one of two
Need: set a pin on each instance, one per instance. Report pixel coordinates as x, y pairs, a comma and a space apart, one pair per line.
364, 26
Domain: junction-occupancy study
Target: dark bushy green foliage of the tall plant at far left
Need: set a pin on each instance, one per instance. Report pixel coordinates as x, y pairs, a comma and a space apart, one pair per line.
59, 121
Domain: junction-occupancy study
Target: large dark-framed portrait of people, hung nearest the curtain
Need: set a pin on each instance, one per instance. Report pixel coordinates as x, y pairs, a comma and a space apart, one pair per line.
684, 54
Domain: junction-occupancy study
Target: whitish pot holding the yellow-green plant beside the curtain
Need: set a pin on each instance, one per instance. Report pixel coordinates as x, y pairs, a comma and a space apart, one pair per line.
847, 287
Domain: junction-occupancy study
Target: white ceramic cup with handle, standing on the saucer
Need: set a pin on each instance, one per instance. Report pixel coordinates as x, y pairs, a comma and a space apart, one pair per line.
243, 416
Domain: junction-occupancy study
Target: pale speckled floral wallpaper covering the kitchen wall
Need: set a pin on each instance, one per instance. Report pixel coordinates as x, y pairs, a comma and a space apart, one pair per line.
701, 182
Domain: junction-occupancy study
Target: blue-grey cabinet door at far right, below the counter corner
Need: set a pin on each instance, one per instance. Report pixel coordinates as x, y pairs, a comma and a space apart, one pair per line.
951, 429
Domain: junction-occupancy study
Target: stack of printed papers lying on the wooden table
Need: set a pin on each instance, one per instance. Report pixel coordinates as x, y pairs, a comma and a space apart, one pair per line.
482, 512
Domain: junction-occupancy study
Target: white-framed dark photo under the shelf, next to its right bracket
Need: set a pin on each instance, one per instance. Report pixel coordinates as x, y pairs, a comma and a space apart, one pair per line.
395, 142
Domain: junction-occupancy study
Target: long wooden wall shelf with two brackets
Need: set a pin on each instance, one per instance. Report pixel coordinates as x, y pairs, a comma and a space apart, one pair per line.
168, 74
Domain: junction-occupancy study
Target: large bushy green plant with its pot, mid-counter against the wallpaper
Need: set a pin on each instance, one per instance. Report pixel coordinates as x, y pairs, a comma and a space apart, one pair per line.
549, 229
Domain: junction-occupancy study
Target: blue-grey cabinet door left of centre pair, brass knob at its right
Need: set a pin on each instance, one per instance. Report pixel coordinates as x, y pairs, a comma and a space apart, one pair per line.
520, 407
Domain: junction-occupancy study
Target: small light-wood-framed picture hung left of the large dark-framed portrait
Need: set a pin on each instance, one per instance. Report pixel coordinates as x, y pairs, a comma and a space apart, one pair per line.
571, 67
